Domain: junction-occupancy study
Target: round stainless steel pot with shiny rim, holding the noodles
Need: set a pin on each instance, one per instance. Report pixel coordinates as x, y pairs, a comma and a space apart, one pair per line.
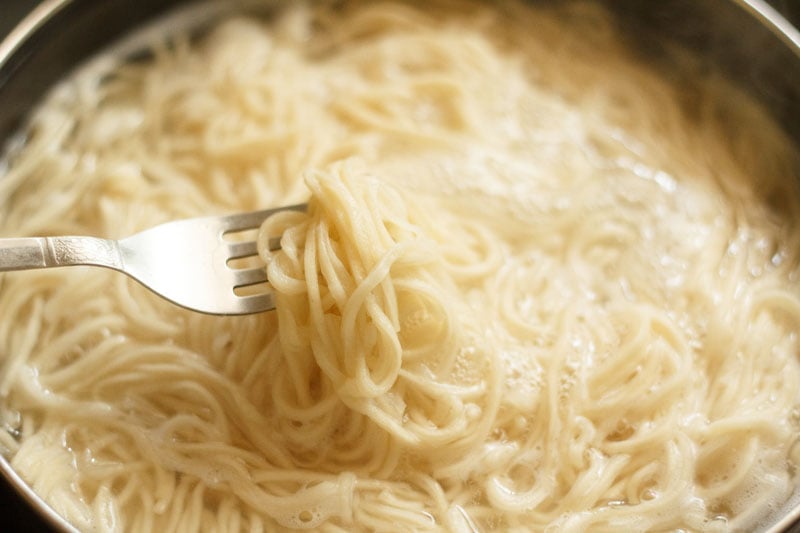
747, 39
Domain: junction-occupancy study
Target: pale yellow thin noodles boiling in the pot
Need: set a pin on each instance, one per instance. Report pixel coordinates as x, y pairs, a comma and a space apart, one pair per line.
537, 287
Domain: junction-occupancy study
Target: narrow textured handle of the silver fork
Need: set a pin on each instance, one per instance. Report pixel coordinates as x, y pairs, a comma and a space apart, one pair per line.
45, 252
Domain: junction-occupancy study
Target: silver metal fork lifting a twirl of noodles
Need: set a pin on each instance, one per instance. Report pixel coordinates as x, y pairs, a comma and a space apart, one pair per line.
188, 262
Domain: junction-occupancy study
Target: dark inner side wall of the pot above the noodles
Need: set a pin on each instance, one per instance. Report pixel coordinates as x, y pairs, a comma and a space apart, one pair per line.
722, 31
